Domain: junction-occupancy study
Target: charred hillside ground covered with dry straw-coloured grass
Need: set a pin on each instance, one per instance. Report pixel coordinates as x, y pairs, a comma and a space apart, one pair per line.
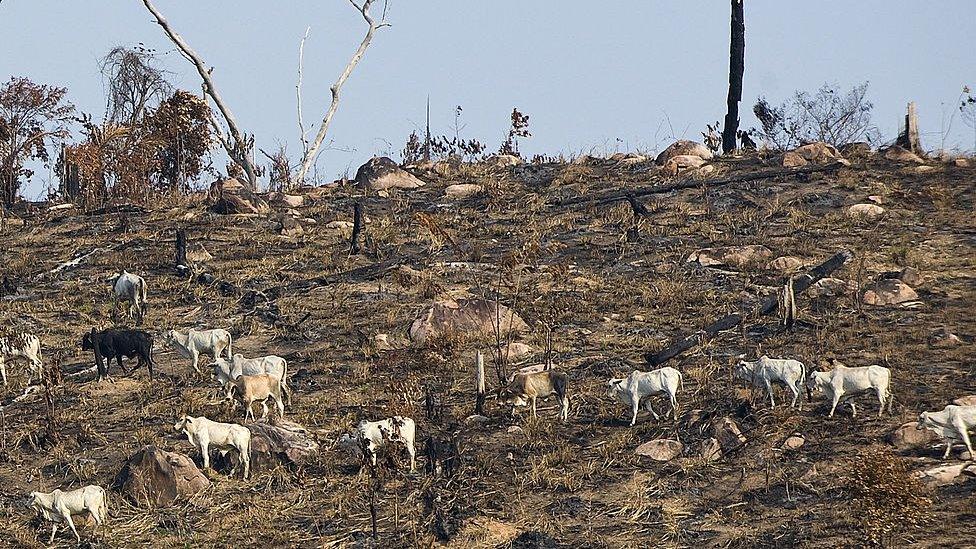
609, 300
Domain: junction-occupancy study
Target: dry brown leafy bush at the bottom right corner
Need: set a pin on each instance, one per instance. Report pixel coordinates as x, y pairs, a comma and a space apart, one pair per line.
887, 499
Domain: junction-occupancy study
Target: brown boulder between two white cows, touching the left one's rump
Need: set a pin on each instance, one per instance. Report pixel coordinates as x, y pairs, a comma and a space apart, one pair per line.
280, 442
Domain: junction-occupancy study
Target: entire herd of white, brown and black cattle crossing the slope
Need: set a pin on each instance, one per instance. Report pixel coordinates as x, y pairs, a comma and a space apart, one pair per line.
254, 380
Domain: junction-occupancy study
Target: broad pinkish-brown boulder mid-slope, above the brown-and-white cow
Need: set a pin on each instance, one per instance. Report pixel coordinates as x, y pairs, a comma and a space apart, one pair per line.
464, 317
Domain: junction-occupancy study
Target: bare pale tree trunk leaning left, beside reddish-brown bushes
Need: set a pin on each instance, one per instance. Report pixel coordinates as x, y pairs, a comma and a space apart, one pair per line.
241, 148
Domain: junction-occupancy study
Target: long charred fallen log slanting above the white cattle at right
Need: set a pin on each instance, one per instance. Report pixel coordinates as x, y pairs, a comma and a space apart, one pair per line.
768, 306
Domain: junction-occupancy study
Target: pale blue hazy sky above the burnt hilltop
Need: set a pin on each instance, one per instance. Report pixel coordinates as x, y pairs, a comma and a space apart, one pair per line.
600, 76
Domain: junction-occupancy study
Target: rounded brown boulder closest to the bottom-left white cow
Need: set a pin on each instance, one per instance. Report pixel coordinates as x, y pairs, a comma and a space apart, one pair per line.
154, 477
